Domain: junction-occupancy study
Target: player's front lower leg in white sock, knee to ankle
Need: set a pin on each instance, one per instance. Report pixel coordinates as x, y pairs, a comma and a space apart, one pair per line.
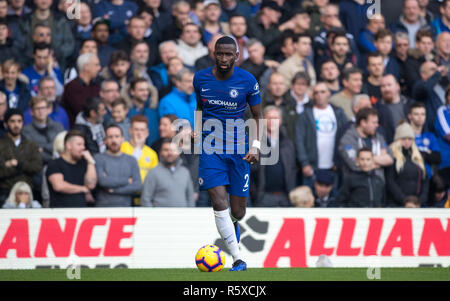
223, 220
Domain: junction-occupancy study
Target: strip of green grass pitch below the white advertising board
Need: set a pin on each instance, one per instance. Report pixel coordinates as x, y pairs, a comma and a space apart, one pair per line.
253, 274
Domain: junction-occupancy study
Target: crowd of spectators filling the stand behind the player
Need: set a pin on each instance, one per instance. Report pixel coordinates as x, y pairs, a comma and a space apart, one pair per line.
355, 95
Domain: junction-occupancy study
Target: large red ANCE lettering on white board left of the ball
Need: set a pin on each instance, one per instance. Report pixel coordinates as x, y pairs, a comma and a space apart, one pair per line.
66, 238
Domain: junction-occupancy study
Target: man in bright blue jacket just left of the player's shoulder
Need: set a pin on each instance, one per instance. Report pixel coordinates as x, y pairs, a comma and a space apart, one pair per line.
181, 101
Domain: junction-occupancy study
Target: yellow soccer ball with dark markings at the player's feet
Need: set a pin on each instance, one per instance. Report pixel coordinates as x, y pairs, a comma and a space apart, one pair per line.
210, 258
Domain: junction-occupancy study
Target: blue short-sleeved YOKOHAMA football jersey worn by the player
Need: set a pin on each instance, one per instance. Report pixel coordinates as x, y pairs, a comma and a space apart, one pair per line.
225, 100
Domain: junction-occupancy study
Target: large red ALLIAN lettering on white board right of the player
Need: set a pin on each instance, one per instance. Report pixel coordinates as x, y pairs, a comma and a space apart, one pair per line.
290, 241
